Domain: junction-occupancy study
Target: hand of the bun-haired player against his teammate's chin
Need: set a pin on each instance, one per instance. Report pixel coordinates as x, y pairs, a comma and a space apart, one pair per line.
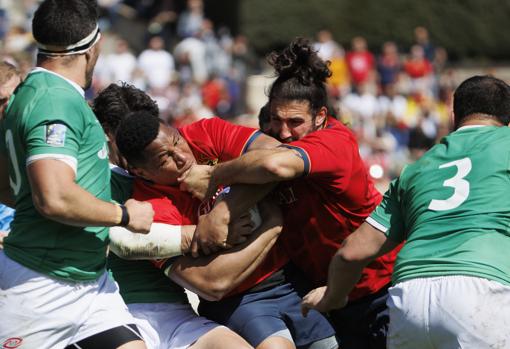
197, 181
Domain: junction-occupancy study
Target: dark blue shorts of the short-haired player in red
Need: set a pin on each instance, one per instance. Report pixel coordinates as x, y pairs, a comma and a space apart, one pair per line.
258, 315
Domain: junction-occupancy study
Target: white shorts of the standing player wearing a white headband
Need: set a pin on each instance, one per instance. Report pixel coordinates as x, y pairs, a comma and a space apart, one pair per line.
42, 312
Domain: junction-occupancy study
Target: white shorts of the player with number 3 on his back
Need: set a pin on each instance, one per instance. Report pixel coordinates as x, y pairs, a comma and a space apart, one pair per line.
449, 312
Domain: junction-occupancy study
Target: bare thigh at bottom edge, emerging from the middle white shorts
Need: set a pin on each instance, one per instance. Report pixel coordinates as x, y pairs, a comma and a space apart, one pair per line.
220, 338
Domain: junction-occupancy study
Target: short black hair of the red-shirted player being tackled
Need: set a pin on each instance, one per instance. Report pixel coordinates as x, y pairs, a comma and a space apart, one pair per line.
134, 134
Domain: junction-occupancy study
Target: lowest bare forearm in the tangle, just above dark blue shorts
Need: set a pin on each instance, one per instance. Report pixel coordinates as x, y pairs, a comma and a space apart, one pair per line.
213, 277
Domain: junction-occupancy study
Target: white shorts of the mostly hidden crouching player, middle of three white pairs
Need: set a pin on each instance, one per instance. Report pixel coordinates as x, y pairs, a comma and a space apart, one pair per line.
169, 325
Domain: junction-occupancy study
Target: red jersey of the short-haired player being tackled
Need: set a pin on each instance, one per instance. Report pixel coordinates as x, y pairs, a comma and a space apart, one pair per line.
211, 141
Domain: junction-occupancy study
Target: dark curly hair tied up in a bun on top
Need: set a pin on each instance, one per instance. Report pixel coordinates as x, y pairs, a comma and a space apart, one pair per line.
301, 74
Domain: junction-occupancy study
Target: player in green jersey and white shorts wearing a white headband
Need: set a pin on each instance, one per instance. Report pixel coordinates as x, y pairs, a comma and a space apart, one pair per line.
55, 290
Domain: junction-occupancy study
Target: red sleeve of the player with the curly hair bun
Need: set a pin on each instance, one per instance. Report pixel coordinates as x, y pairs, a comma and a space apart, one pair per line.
328, 154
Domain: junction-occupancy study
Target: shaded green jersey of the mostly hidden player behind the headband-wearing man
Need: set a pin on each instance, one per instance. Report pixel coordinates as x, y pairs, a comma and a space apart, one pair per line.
139, 281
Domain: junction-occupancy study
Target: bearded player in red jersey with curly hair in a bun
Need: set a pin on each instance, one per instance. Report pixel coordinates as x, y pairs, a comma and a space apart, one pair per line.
325, 191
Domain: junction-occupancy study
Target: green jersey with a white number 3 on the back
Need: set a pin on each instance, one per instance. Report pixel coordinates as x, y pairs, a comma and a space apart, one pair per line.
452, 208
